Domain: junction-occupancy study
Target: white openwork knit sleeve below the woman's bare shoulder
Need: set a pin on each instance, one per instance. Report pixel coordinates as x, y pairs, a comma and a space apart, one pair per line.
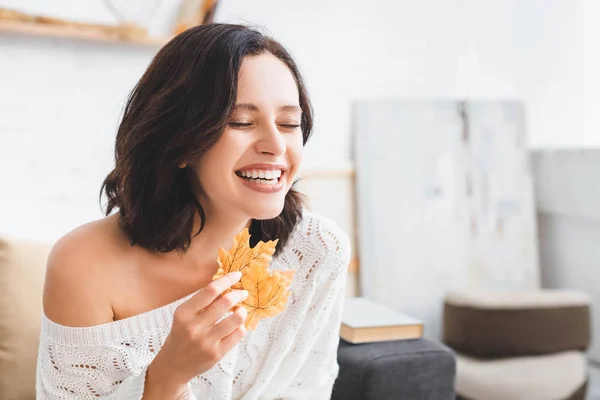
96, 363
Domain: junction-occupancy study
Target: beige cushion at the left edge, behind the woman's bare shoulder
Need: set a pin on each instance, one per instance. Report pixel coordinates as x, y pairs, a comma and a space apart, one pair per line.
22, 270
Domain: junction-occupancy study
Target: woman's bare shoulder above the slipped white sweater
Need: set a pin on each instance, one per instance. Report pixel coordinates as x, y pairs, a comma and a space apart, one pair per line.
78, 274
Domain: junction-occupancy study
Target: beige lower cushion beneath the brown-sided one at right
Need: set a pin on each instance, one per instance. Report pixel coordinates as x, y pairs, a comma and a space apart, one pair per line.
560, 376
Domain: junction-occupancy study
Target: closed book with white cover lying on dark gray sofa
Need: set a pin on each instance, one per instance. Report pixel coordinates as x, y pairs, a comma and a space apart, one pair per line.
366, 321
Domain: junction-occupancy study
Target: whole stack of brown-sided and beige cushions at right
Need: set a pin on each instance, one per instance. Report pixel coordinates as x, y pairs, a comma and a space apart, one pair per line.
519, 345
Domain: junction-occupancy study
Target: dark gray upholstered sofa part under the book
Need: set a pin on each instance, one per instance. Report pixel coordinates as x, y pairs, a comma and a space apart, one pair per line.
395, 370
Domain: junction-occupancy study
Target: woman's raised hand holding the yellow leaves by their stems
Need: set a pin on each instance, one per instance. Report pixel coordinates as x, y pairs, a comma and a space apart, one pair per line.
196, 342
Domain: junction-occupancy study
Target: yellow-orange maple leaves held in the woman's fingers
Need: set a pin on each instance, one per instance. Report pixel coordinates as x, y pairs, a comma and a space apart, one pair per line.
268, 292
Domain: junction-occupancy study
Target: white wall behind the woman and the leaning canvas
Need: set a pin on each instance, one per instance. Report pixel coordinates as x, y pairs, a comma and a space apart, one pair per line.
60, 99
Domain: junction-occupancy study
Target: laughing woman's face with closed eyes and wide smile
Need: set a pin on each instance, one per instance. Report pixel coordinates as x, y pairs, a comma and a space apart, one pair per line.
253, 165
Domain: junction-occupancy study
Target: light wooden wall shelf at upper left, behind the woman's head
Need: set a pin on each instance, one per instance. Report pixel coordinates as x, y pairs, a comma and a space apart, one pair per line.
89, 32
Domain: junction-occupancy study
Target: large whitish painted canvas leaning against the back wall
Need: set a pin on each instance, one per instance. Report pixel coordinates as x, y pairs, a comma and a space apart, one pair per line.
444, 201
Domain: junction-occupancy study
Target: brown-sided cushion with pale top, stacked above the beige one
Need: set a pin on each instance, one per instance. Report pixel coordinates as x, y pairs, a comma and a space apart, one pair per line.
488, 325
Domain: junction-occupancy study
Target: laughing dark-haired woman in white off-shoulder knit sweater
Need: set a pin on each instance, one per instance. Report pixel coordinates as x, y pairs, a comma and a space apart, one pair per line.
210, 142
